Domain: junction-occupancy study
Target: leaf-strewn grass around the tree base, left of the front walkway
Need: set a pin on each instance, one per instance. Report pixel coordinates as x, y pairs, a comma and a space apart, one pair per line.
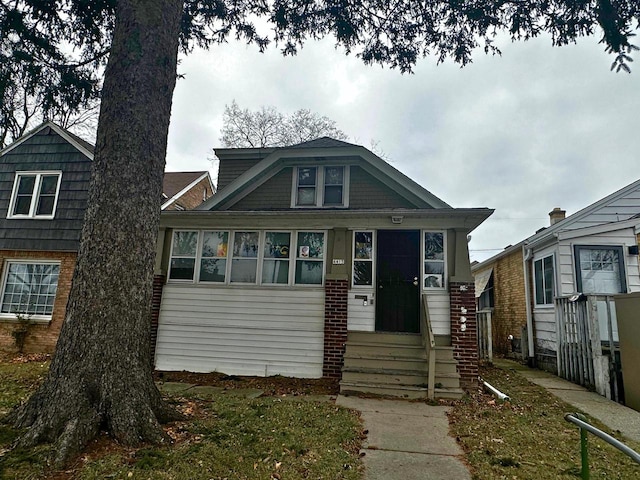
224, 436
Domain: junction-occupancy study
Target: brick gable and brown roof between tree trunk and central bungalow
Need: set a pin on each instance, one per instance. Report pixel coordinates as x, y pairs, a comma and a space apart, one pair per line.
186, 190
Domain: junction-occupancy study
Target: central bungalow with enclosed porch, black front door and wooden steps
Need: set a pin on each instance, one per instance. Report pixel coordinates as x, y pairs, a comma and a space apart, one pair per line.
319, 259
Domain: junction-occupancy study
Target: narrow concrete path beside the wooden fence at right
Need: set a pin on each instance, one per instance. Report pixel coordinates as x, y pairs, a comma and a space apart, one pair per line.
615, 416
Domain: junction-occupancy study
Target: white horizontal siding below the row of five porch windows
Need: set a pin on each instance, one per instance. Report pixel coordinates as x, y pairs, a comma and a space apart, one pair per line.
241, 331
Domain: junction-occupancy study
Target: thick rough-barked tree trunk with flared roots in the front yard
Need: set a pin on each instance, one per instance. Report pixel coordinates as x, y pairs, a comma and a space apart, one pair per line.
101, 374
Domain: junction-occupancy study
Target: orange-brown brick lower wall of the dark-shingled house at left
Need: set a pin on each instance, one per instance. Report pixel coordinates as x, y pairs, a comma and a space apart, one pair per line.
43, 336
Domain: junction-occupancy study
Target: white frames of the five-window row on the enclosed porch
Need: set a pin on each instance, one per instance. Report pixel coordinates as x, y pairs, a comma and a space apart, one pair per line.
293, 258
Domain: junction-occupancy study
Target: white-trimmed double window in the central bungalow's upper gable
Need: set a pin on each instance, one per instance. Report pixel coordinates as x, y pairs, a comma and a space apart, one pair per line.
320, 187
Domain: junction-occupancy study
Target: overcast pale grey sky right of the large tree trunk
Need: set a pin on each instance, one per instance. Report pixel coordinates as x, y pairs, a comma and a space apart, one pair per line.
537, 128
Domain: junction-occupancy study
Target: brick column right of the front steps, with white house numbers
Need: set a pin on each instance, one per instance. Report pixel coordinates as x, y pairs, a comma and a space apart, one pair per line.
464, 332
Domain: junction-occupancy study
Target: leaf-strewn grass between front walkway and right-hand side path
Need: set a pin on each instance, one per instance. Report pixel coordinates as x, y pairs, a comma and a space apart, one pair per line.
528, 438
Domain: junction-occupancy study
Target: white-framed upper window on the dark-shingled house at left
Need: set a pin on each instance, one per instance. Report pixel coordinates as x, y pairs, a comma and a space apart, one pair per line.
35, 195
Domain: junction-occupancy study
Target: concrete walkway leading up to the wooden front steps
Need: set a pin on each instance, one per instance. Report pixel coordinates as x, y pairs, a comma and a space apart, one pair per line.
407, 440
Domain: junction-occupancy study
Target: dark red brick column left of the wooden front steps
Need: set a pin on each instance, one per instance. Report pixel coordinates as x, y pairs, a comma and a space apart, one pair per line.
335, 327
